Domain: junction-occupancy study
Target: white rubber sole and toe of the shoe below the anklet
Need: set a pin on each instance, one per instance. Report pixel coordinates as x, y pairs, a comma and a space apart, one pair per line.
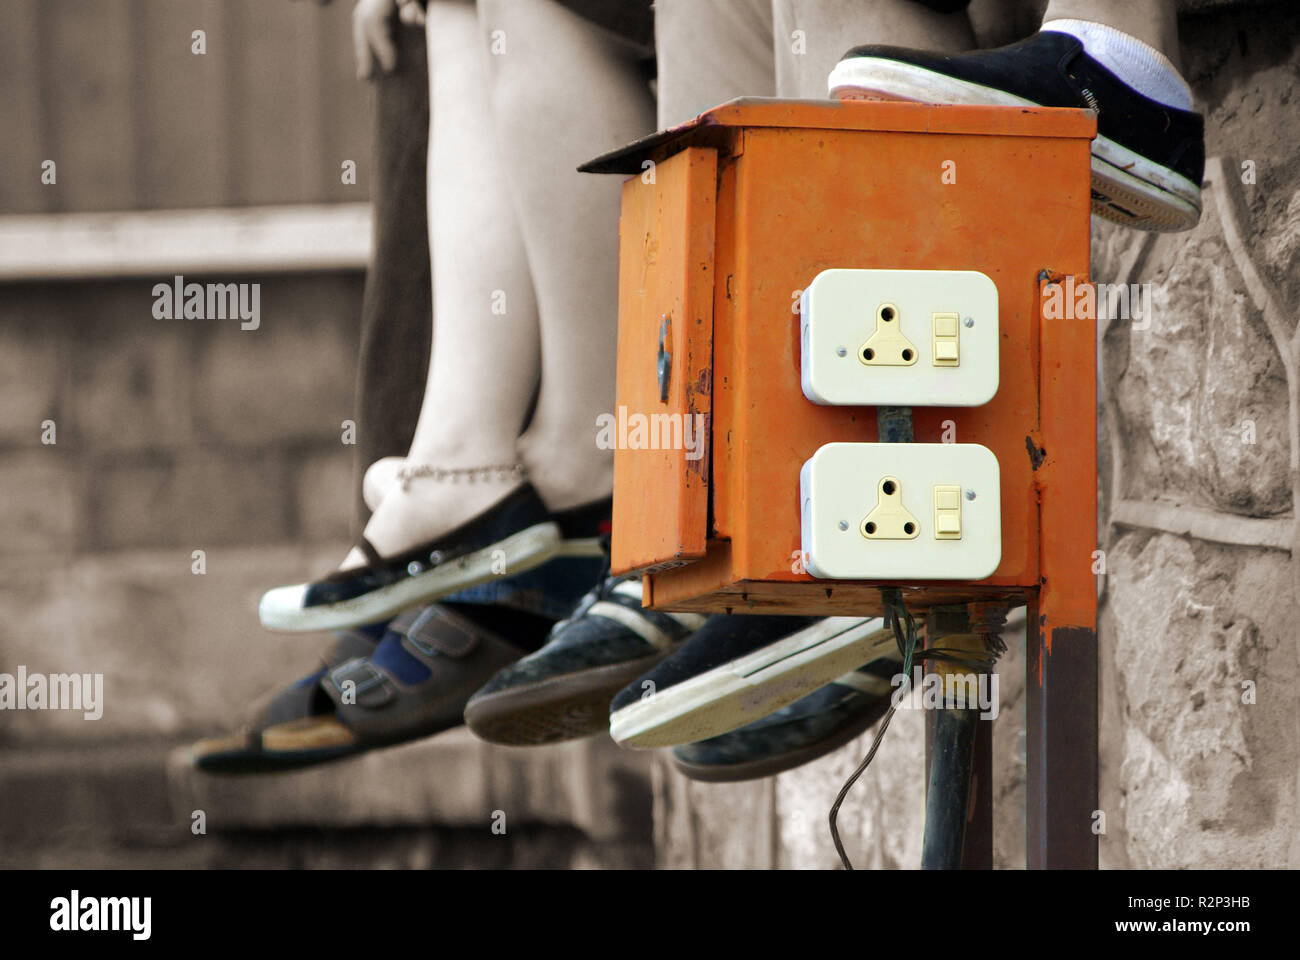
283, 608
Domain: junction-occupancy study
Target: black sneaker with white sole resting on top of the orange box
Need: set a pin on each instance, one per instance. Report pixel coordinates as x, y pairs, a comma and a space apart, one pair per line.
1147, 161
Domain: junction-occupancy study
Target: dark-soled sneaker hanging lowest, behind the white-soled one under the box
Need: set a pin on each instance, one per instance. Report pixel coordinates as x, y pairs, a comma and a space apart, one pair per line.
808, 729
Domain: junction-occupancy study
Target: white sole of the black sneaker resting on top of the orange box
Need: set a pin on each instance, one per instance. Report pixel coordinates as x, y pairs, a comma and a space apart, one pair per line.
1128, 188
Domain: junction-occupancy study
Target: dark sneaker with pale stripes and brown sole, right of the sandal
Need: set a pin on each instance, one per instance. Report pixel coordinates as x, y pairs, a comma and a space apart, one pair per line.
564, 691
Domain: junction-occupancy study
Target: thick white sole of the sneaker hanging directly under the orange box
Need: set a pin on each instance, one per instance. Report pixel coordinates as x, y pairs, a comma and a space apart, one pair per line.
751, 687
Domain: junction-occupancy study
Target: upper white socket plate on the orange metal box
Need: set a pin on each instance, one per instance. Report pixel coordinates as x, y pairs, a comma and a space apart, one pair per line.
838, 315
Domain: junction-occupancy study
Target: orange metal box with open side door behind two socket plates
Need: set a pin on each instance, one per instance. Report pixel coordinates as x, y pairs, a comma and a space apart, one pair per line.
727, 220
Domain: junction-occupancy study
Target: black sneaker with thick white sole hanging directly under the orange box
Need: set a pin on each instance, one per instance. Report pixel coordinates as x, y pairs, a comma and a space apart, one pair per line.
739, 669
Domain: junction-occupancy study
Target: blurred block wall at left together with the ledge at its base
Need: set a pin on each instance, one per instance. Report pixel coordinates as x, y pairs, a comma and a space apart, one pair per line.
194, 435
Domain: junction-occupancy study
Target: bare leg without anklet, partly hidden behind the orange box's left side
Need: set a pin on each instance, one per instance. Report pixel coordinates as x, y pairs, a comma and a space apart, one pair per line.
564, 93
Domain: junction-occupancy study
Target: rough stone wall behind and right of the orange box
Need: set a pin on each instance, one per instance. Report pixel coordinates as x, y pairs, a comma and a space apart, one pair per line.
1201, 736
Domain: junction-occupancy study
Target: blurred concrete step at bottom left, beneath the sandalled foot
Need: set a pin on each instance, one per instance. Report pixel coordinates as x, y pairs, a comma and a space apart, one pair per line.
132, 805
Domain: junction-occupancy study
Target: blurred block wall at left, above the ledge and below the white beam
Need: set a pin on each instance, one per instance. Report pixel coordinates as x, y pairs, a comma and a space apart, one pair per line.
172, 436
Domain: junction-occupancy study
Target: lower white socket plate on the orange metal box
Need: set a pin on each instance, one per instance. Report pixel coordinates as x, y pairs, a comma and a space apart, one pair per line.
840, 485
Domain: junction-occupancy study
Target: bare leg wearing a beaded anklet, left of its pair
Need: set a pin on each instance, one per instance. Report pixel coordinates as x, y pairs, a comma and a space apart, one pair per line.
486, 340
